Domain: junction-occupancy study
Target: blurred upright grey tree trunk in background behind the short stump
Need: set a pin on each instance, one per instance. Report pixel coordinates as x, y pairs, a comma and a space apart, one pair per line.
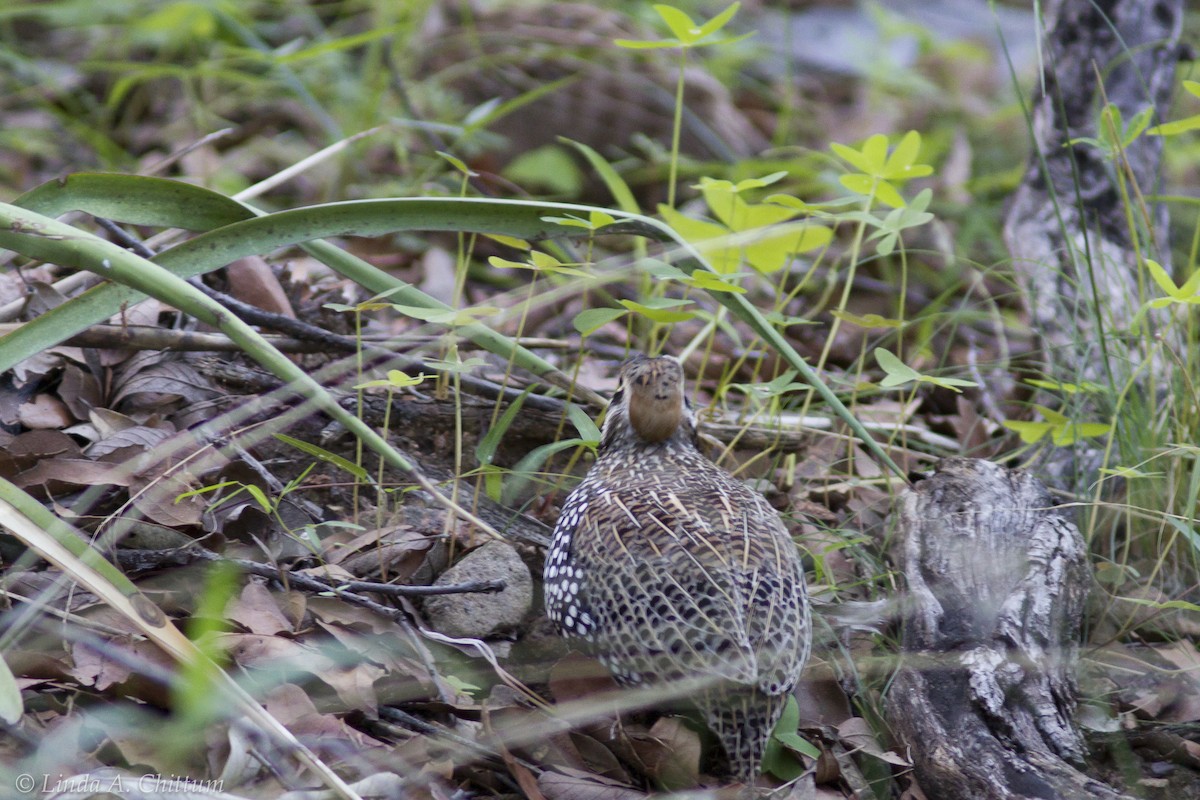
1069, 227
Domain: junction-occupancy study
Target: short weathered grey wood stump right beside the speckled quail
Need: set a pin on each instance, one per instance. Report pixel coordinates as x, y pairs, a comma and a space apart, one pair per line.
997, 588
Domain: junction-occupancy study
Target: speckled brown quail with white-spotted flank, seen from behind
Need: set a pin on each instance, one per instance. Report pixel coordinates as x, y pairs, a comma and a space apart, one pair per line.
669, 569
